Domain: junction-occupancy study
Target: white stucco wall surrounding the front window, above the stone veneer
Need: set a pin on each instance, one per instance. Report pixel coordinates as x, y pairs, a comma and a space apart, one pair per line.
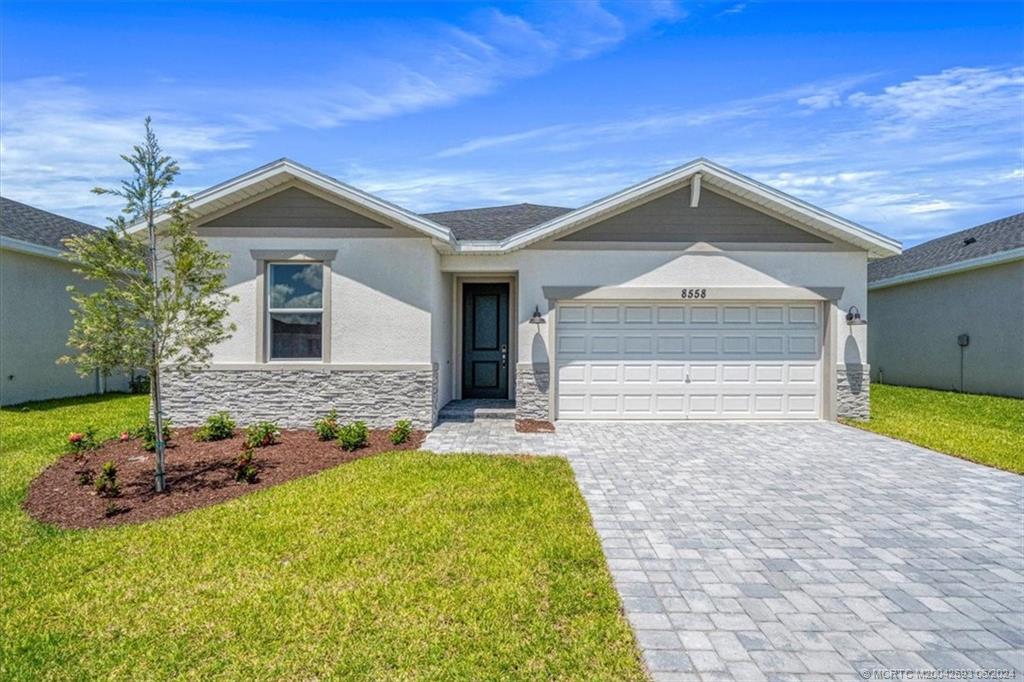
382, 294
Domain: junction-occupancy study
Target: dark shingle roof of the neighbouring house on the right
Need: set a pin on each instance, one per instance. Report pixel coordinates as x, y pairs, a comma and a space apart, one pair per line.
992, 238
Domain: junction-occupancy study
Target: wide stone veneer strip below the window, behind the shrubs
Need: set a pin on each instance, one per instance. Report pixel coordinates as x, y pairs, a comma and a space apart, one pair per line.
295, 398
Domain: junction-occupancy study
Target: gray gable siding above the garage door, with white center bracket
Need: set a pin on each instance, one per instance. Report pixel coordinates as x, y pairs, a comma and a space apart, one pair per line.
670, 219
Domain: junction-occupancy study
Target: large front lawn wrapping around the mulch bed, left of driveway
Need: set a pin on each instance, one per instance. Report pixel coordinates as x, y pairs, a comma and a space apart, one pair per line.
405, 566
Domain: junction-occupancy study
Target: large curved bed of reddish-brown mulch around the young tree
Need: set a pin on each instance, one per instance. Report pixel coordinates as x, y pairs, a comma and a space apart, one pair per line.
199, 475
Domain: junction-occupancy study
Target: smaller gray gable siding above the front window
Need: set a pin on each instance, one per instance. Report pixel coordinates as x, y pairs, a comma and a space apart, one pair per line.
294, 208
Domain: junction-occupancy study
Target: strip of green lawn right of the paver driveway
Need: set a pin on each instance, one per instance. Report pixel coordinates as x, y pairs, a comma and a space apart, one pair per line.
982, 429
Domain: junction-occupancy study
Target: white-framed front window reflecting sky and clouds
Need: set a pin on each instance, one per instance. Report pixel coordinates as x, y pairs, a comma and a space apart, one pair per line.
295, 311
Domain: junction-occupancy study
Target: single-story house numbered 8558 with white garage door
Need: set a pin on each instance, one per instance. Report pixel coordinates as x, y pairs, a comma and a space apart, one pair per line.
697, 294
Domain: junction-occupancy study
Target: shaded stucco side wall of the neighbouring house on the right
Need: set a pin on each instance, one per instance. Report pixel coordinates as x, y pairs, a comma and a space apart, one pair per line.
915, 329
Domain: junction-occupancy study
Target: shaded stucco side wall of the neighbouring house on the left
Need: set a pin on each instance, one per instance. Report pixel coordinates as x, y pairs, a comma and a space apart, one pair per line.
35, 320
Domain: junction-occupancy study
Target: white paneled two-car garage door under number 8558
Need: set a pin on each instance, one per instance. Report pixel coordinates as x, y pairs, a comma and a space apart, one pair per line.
689, 361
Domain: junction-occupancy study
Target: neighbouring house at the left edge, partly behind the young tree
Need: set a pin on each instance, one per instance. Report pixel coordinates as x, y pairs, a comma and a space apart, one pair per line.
35, 308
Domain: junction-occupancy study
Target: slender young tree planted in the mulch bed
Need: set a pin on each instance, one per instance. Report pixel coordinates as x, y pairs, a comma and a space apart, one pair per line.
162, 302
